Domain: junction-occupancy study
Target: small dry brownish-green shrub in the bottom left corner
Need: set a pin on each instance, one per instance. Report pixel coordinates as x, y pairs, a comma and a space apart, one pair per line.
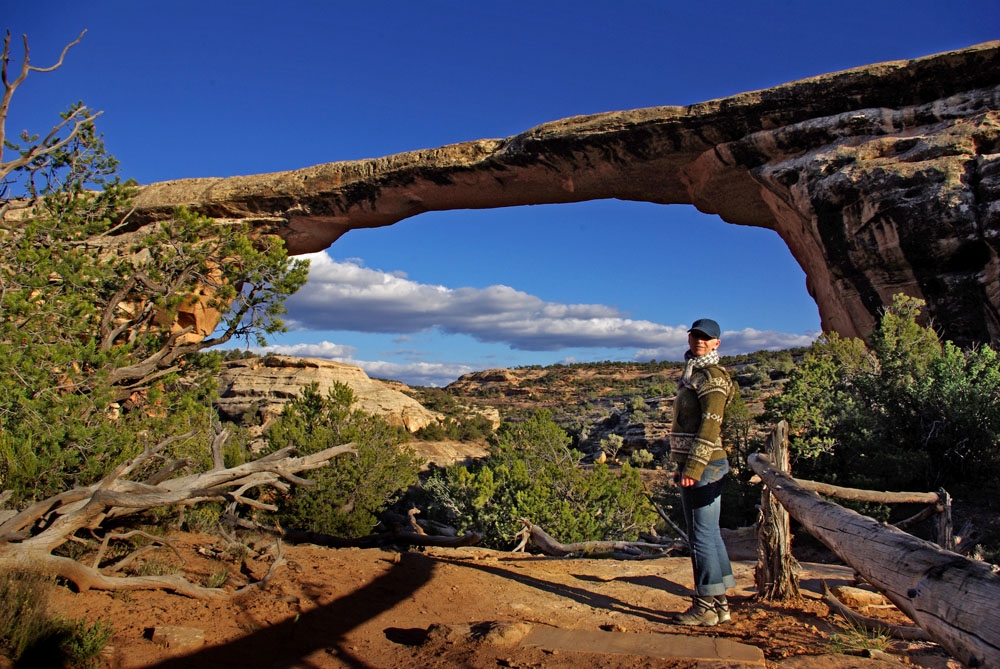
32, 635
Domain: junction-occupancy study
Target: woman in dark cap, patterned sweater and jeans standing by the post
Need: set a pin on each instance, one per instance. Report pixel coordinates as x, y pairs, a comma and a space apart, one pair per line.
703, 393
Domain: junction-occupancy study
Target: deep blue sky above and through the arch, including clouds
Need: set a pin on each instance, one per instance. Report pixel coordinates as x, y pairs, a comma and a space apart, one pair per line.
216, 89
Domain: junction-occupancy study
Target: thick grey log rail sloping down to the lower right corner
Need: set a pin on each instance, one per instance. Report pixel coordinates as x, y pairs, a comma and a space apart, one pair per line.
949, 596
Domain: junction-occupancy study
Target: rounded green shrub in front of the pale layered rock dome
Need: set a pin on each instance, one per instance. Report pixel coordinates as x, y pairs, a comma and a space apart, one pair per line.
351, 491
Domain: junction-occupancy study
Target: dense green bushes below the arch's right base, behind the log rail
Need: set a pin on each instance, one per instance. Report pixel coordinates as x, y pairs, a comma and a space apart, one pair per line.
906, 412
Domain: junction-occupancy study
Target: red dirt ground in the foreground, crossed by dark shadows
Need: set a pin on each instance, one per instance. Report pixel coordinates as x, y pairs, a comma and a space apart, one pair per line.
453, 607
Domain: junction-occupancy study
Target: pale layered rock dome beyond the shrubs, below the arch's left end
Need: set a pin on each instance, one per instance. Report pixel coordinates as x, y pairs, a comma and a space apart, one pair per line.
265, 385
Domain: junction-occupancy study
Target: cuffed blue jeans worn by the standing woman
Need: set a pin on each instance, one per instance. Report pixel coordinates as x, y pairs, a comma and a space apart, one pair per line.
702, 502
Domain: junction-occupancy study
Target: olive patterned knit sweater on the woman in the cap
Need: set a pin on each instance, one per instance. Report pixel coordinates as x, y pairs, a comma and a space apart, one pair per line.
703, 393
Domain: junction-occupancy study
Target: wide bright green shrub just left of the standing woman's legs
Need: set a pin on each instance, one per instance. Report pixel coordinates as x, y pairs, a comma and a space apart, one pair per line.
532, 473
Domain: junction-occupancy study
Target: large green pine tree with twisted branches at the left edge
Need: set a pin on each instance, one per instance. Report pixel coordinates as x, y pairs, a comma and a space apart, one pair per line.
90, 370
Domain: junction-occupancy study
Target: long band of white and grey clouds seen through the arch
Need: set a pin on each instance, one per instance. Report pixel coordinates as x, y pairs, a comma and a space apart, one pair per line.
350, 297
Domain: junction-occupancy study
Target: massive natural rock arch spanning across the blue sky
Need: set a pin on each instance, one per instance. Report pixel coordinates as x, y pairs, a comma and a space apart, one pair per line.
880, 179
